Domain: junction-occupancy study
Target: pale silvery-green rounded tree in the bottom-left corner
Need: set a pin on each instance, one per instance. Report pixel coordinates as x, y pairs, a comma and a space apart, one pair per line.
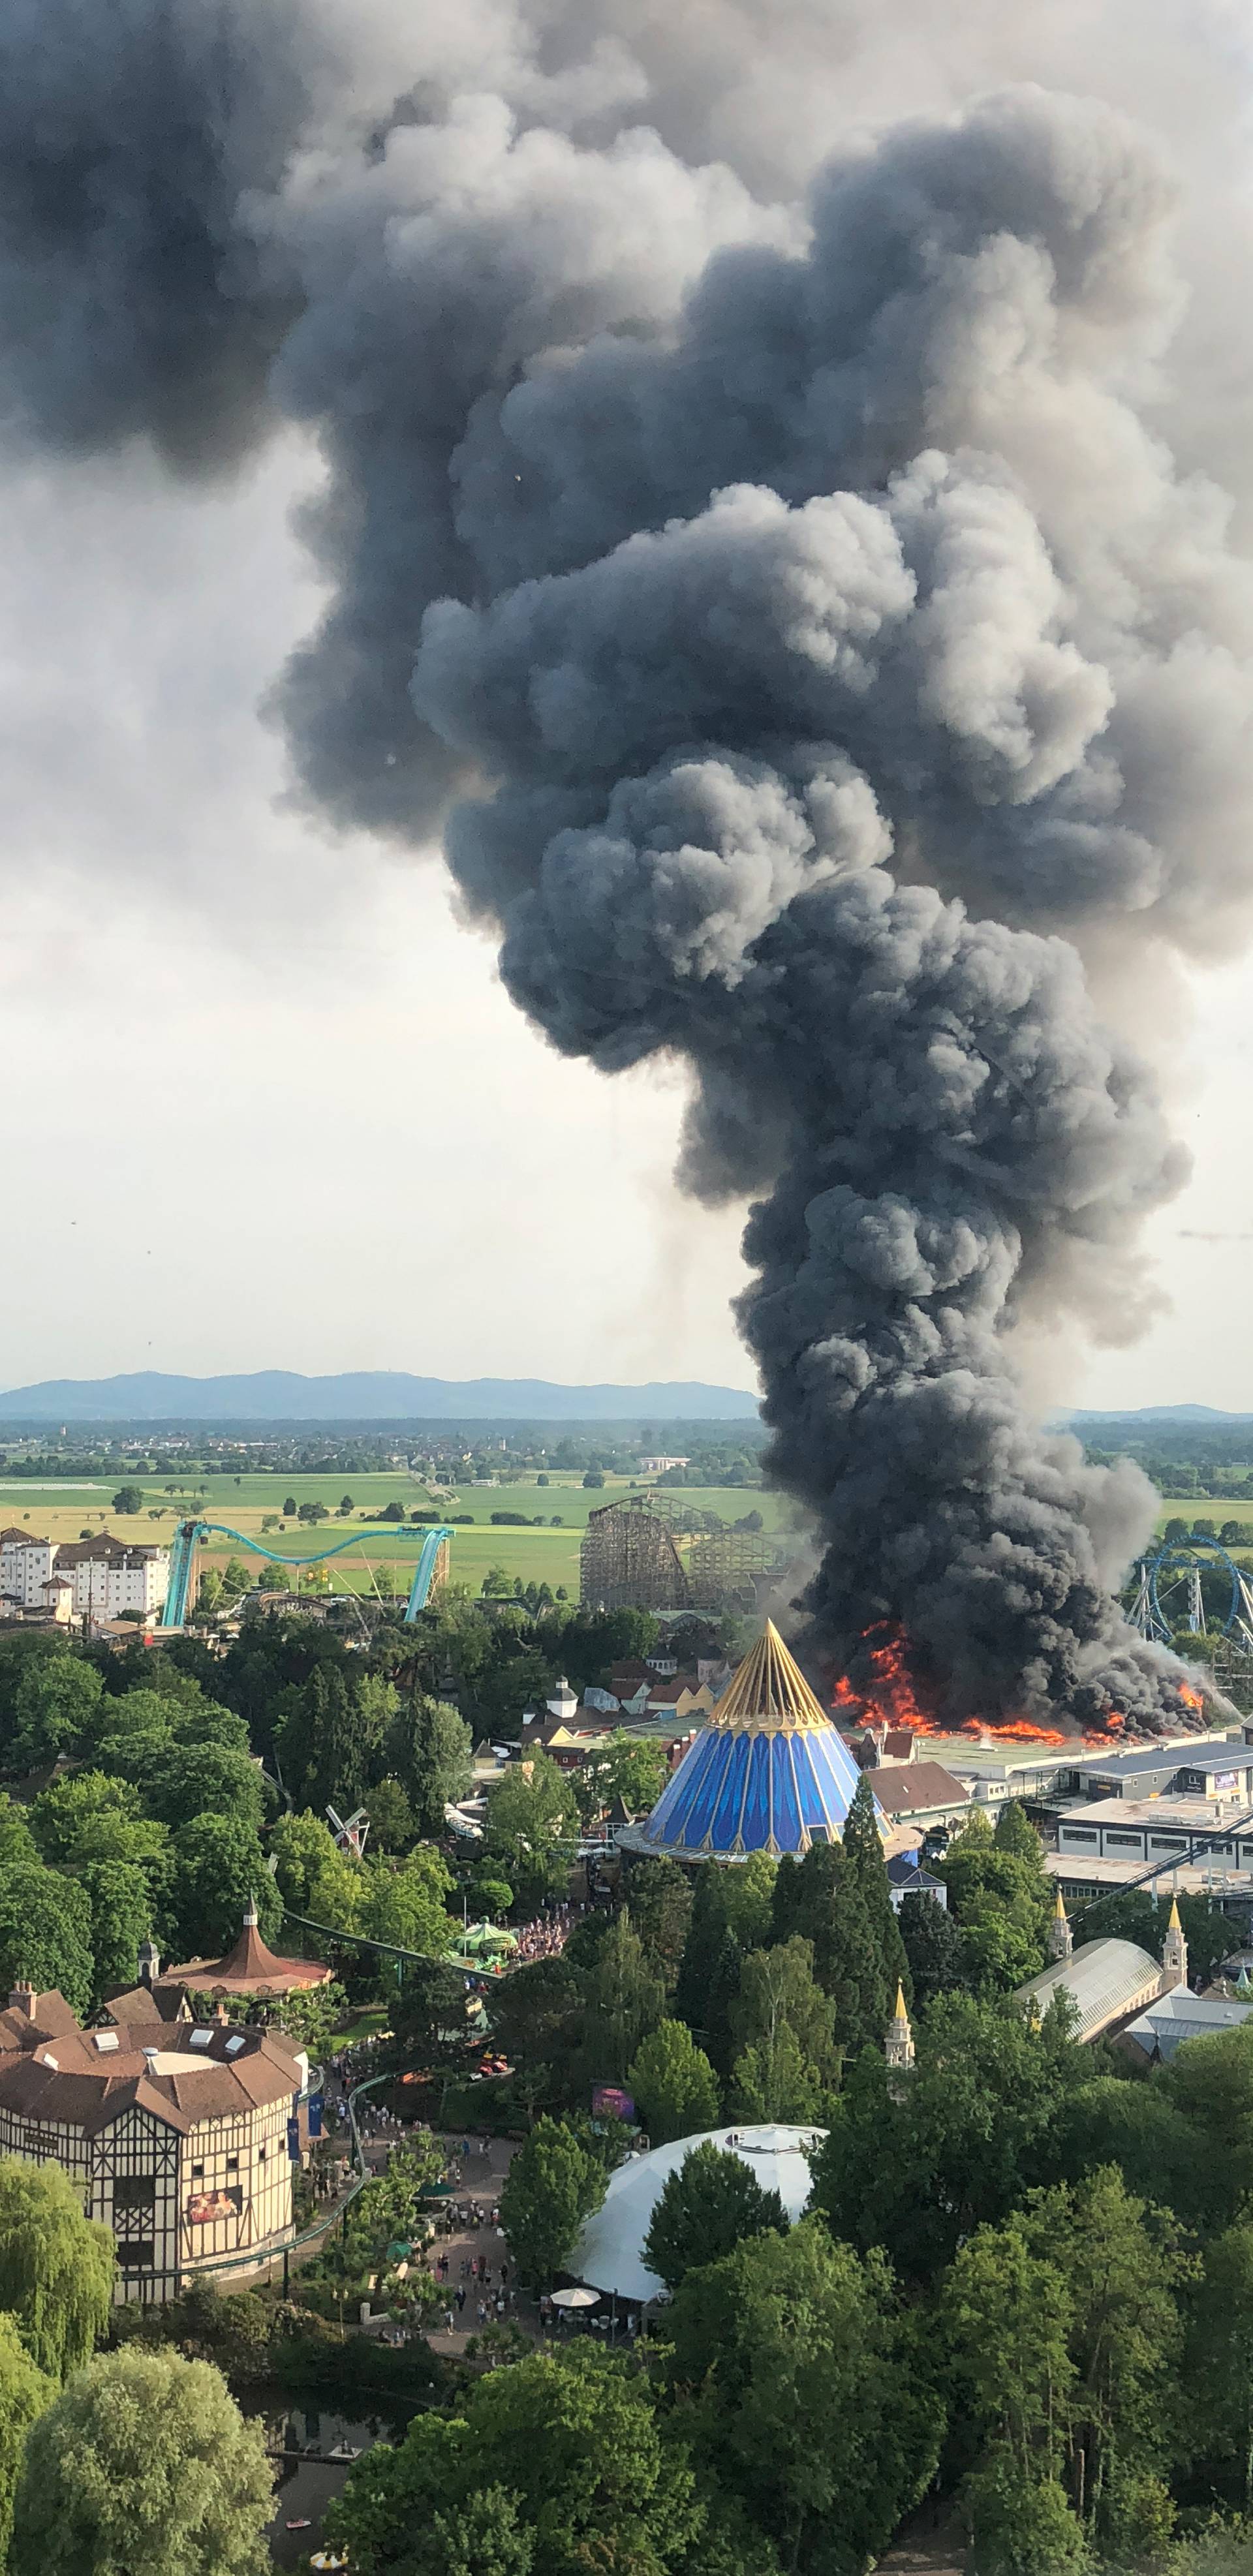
148, 2464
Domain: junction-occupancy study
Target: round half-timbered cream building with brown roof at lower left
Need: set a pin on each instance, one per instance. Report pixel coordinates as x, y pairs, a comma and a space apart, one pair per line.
177, 2129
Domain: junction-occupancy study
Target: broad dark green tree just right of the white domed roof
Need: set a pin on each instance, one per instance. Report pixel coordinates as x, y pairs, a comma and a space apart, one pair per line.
919, 2168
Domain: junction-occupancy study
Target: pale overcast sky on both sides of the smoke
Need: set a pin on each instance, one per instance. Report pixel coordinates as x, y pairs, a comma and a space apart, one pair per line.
267, 1101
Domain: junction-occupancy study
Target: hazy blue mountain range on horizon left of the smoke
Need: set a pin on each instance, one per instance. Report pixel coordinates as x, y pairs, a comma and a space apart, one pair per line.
365, 1395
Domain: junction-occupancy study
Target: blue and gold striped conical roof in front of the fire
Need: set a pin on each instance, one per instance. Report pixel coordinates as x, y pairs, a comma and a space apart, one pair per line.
770, 1771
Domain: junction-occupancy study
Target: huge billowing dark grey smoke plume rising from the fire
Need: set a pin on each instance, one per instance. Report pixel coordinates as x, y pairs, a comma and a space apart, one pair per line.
798, 632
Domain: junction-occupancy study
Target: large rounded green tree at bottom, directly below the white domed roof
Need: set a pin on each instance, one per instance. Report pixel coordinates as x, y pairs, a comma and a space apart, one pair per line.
793, 2371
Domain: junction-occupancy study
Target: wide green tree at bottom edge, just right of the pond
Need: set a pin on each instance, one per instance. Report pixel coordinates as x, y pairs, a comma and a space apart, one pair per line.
574, 2441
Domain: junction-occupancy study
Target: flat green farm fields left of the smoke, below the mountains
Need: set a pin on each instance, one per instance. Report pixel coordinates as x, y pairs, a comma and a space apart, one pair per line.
244, 1503
